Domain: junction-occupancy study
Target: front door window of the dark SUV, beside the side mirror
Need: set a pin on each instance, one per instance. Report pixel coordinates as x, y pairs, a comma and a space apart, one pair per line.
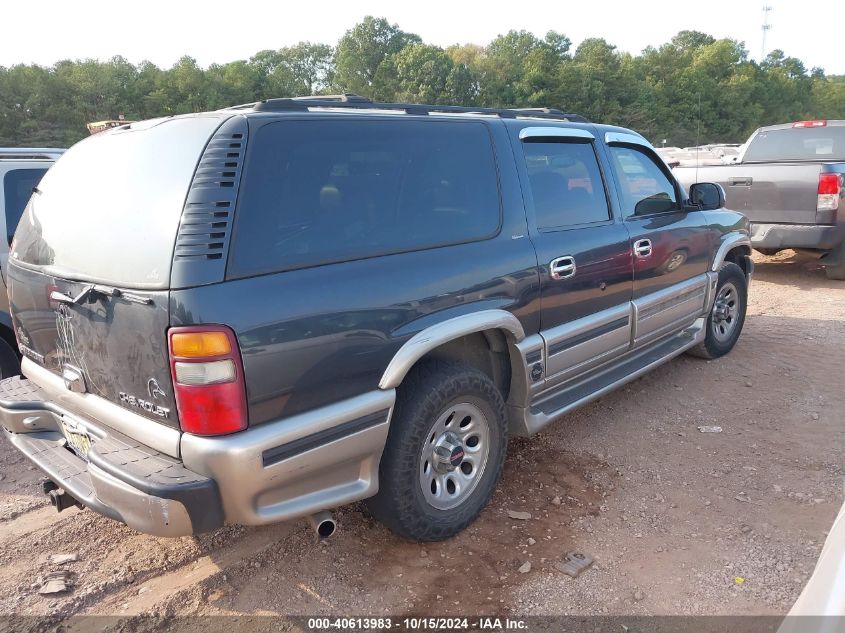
646, 189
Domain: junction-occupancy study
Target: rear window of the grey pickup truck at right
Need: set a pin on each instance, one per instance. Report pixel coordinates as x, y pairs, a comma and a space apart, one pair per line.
820, 143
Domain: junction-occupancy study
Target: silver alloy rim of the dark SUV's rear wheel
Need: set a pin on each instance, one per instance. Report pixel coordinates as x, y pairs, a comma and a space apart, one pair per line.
454, 455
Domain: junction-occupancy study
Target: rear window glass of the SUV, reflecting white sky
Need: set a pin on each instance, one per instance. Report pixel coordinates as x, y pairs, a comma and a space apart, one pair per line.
109, 209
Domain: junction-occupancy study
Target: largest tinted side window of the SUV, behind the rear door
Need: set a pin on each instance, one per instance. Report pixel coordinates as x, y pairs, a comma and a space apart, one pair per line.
316, 192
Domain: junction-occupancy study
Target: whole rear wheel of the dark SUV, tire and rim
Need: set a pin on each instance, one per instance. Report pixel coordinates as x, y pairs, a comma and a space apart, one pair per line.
444, 453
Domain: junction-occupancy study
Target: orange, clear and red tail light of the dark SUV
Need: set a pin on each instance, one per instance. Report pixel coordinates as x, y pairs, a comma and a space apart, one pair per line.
208, 379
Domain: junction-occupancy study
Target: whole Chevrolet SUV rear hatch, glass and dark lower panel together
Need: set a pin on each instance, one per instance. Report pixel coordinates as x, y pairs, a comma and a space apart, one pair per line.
89, 274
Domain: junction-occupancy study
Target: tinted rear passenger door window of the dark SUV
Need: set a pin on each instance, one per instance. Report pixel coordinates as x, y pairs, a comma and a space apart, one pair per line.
566, 184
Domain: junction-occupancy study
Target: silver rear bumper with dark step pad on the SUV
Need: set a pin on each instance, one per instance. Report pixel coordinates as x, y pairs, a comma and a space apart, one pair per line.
121, 479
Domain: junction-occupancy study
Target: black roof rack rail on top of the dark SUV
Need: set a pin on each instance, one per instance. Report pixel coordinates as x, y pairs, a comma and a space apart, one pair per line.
353, 102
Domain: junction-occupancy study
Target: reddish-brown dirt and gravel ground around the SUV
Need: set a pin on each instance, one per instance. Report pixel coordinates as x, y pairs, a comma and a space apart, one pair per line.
678, 521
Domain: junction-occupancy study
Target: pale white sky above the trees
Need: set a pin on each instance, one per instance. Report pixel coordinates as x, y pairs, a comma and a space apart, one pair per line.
222, 31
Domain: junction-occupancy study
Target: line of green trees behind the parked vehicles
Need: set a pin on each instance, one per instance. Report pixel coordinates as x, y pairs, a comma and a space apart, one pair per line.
693, 88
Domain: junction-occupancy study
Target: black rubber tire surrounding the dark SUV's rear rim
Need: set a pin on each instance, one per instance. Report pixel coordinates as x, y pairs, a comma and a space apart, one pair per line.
423, 399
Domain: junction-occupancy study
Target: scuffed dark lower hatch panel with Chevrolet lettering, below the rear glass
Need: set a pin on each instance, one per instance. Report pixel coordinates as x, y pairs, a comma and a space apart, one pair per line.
116, 343
